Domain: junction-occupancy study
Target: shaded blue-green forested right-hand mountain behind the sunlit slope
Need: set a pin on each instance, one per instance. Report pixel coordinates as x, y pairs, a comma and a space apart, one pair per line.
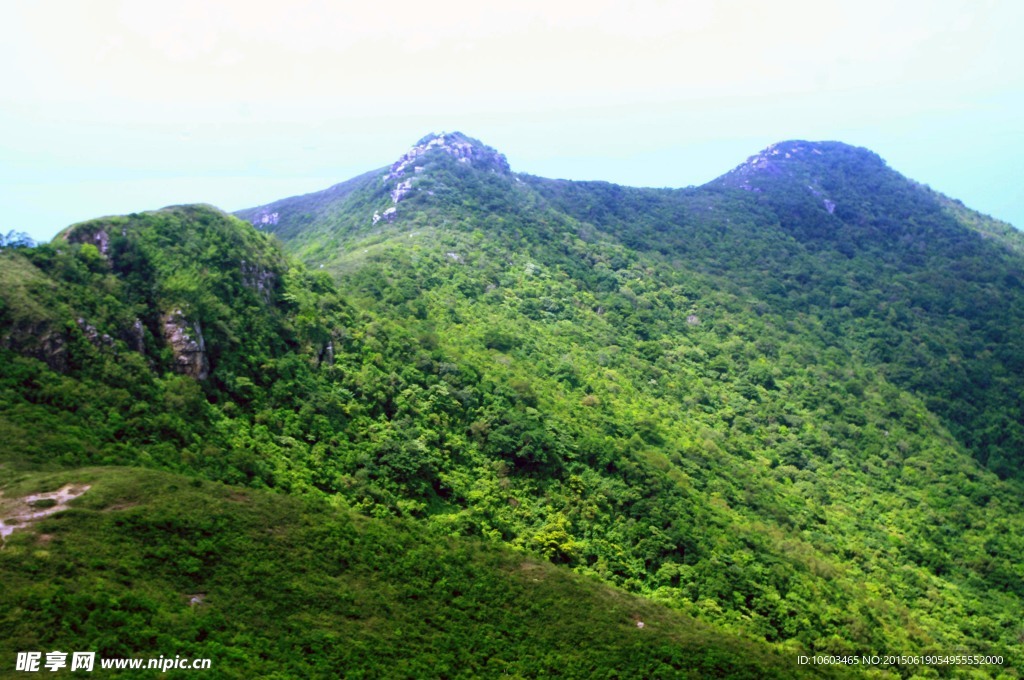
901, 279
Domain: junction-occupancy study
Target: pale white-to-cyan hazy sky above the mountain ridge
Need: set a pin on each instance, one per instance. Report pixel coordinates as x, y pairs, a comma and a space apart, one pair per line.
113, 107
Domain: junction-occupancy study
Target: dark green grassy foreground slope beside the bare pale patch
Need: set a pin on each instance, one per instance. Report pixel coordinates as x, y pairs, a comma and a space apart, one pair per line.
292, 587
